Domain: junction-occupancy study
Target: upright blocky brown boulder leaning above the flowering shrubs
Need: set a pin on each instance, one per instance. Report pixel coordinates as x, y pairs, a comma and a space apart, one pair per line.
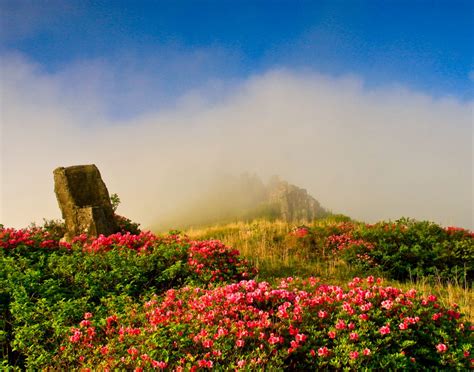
84, 201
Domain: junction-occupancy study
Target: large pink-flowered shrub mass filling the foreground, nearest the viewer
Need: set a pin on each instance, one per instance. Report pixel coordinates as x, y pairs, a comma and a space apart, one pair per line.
300, 325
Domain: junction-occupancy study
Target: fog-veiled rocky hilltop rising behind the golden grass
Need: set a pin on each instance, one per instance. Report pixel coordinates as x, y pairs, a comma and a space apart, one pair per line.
245, 198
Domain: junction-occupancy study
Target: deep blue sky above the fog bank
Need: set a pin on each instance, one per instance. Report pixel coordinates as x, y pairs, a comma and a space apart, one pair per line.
423, 45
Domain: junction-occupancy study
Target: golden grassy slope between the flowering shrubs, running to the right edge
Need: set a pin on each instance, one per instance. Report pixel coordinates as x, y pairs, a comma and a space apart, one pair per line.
277, 253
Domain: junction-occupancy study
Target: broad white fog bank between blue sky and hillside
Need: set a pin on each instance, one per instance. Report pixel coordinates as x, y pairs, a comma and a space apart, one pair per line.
372, 154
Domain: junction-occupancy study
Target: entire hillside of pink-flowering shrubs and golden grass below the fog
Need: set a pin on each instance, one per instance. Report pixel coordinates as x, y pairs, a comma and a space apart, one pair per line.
331, 294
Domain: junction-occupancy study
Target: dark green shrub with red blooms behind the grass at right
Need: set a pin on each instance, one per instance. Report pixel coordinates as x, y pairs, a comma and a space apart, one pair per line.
403, 249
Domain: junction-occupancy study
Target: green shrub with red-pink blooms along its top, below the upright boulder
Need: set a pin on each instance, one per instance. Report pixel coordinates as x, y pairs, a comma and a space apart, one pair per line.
46, 285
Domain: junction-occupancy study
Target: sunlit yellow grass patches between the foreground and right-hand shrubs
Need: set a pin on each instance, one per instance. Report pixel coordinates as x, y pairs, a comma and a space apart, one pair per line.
264, 244
